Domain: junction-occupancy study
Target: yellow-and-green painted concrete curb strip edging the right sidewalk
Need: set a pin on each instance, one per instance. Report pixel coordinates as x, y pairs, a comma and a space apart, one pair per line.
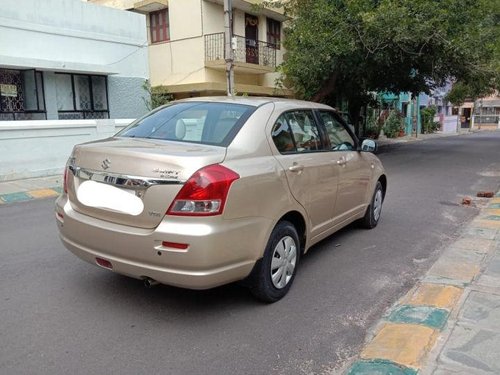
412, 334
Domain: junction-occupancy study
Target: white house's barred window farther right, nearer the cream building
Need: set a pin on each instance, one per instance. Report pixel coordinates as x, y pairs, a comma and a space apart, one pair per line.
82, 96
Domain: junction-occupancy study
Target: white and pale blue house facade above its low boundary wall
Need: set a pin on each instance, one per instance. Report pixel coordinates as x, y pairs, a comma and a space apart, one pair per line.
65, 59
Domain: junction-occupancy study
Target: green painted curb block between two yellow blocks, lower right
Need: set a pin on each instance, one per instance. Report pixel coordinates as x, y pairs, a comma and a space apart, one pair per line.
425, 315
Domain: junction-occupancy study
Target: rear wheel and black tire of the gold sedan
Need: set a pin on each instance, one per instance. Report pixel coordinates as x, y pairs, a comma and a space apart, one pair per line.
273, 275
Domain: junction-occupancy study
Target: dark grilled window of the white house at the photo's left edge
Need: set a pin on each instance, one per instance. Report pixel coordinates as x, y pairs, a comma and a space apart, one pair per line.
21, 95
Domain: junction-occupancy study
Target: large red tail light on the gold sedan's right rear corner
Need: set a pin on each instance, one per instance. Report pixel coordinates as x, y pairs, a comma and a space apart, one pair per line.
205, 193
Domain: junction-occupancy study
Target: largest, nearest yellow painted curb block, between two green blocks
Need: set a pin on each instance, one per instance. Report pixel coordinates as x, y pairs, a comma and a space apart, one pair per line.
405, 344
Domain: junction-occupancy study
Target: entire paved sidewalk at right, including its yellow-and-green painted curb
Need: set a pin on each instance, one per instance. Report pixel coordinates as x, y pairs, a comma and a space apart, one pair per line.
449, 323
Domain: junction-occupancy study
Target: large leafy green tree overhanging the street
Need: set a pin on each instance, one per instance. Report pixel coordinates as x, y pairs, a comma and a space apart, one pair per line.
345, 49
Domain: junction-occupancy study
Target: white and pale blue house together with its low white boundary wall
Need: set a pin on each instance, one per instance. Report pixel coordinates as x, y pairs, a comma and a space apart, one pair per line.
68, 71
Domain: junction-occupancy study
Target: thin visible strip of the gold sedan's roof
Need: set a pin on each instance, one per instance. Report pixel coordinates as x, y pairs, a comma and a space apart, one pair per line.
257, 101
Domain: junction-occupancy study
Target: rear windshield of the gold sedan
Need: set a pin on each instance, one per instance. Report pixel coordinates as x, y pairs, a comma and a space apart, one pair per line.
195, 122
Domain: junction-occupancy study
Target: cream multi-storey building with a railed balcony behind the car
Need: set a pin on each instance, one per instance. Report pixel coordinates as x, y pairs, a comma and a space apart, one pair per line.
186, 45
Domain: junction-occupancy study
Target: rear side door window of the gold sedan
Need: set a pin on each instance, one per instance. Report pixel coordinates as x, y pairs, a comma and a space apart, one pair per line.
296, 131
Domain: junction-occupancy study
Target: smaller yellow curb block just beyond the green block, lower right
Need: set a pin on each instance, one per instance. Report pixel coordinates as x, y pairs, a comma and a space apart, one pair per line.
441, 296
